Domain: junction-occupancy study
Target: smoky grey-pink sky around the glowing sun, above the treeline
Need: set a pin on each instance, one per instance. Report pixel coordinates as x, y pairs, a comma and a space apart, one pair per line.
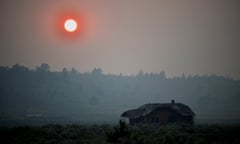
124, 36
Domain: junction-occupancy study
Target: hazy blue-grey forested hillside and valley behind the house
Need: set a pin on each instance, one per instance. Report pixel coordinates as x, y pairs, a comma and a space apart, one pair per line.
69, 96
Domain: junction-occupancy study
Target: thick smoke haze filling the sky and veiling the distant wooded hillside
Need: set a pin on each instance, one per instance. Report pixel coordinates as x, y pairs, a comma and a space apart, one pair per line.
126, 53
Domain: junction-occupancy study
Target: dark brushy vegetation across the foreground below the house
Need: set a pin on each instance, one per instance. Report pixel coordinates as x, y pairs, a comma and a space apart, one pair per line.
122, 134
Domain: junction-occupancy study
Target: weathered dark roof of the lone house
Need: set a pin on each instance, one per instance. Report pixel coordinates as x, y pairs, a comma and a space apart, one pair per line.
148, 108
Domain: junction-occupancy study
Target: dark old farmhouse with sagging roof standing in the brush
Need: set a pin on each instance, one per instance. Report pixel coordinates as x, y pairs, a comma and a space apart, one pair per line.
160, 113
